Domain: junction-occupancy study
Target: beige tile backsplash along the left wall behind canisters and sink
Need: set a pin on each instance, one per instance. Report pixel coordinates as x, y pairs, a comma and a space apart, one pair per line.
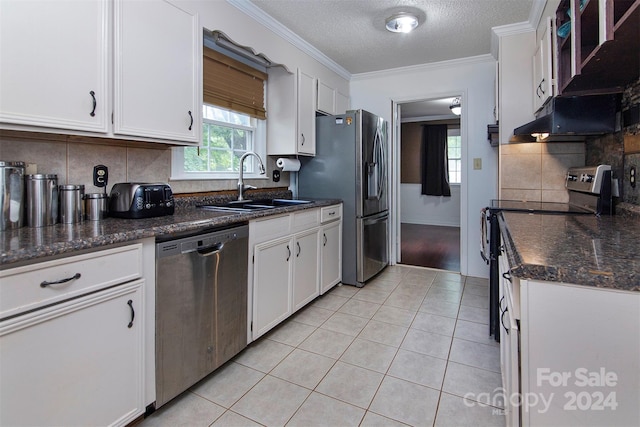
72, 158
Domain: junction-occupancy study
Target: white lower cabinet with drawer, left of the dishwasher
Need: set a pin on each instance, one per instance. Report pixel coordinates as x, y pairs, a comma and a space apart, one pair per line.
72, 340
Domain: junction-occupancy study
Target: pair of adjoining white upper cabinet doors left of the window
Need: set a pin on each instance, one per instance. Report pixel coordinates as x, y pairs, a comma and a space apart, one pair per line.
60, 73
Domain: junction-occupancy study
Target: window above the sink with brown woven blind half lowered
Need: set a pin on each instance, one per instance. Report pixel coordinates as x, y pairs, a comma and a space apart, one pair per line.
234, 121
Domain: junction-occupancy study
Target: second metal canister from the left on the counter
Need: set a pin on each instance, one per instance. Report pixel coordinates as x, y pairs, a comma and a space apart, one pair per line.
42, 199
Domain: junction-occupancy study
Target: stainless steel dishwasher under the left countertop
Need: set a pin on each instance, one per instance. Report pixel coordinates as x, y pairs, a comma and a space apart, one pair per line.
201, 306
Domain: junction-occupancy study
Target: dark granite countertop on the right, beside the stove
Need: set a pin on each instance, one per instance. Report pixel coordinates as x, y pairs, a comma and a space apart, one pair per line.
579, 249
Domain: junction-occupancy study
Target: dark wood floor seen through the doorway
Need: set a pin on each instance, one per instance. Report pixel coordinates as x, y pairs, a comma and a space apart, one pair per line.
430, 246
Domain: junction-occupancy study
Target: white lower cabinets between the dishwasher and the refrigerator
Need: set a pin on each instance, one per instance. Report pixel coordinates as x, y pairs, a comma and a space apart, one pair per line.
291, 255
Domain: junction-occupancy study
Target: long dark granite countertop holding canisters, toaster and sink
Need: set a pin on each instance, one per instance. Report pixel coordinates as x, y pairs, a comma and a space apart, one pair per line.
32, 244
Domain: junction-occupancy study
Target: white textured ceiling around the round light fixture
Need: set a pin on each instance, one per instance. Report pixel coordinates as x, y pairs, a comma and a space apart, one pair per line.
352, 32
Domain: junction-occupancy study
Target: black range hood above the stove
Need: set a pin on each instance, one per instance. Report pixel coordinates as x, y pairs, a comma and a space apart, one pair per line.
566, 118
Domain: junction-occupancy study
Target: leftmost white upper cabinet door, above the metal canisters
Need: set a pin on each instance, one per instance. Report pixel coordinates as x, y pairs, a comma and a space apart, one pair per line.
54, 58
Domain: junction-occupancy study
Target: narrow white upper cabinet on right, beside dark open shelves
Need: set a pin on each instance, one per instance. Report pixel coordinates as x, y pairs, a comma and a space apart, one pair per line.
543, 76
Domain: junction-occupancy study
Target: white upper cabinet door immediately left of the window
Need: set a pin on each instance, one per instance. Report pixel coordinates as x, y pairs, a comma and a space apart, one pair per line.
157, 77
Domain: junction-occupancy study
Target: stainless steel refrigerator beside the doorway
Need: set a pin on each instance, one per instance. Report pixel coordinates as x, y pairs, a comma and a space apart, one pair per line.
351, 164
